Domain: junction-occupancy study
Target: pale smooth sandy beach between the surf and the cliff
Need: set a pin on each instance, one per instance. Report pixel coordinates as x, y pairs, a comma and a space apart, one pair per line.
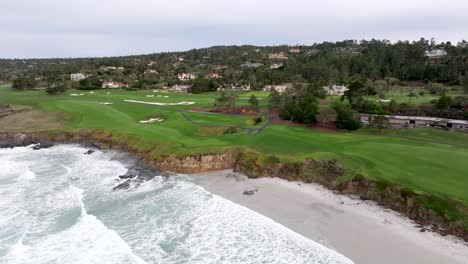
362, 231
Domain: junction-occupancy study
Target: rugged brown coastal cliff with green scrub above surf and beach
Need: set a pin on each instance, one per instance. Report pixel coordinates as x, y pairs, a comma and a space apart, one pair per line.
440, 214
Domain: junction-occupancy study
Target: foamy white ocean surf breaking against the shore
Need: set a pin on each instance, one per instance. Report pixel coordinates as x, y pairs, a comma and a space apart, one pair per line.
58, 205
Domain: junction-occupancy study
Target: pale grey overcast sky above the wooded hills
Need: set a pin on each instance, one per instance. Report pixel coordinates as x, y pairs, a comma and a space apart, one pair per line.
83, 28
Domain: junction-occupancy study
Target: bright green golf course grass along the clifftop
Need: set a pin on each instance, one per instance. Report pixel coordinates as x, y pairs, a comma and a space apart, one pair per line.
422, 166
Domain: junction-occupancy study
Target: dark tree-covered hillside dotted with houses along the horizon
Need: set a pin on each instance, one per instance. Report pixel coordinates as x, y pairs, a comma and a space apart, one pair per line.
328, 62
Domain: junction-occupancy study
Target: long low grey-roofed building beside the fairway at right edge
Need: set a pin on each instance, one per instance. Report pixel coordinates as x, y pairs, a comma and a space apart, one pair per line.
417, 121
